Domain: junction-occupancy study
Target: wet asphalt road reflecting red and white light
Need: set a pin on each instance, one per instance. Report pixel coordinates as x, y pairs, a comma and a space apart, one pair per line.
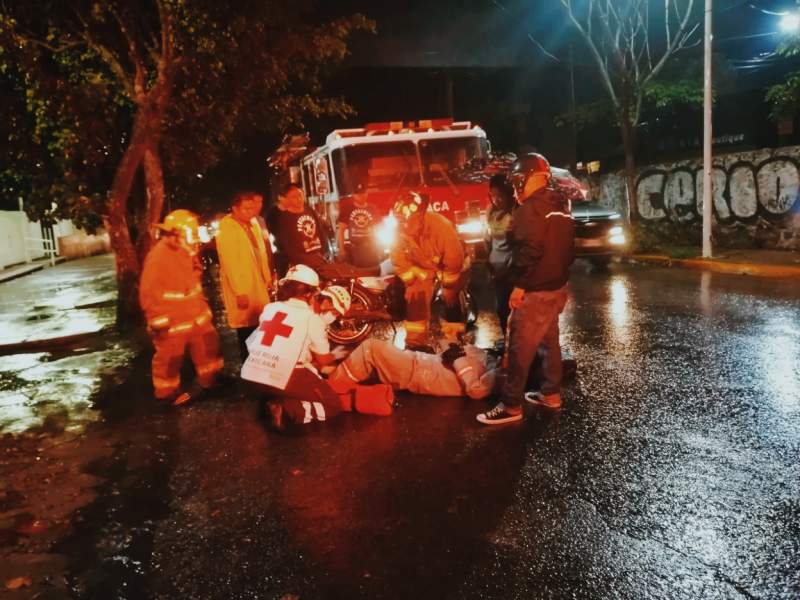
671, 472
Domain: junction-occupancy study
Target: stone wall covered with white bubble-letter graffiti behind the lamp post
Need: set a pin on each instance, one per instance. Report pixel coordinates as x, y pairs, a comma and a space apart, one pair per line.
756, 195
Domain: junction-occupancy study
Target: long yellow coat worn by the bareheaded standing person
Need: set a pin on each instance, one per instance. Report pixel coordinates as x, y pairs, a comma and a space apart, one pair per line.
243, 271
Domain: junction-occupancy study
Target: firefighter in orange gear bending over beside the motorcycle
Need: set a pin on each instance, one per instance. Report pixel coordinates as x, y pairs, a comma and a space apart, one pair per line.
428, 248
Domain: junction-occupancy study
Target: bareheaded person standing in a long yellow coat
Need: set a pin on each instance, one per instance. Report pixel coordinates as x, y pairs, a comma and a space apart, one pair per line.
245, 268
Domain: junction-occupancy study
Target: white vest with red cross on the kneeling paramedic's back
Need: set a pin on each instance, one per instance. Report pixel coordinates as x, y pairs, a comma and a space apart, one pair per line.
275, 347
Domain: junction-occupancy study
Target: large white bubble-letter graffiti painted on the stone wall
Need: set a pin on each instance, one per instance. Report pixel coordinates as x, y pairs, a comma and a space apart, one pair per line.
743, 190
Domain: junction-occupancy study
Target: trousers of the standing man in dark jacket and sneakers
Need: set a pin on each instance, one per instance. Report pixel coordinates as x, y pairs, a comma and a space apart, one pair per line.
534, 323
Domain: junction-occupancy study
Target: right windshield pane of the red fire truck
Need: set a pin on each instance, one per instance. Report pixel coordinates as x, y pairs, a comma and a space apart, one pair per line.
447, 161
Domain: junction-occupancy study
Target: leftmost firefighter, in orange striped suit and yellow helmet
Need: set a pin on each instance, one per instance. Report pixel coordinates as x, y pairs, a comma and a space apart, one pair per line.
176, 309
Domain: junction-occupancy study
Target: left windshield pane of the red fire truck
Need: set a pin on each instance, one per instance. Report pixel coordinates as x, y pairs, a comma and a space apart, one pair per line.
385, 165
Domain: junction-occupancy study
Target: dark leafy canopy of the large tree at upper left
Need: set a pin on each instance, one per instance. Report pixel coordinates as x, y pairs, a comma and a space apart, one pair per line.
73, 78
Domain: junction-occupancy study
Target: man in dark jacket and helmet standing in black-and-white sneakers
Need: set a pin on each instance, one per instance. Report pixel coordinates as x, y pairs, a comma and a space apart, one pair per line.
543, 238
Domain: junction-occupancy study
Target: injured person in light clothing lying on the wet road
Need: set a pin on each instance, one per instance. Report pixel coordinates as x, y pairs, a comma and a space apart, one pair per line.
458, 371
